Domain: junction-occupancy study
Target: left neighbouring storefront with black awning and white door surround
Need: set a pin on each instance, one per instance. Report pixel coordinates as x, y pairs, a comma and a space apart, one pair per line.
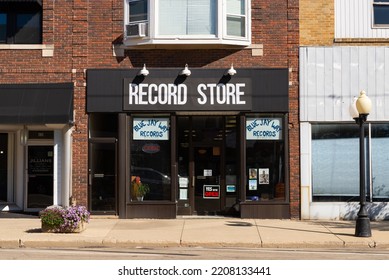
35, 145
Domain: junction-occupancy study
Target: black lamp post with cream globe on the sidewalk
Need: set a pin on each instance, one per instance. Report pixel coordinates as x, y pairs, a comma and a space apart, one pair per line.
359, 110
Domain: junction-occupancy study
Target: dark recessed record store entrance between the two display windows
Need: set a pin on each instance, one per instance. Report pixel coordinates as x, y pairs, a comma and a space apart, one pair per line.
208, 160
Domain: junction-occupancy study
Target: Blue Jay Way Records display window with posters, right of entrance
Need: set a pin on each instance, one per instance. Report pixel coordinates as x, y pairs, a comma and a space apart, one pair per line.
265, 163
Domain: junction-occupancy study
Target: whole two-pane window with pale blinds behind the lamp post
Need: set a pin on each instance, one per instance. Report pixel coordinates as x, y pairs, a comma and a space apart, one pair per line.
335, 162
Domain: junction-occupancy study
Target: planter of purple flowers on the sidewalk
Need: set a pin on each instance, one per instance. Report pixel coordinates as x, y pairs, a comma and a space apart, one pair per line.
64, 219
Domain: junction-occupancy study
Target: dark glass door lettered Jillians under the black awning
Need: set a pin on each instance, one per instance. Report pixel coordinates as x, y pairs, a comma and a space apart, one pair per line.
40, 176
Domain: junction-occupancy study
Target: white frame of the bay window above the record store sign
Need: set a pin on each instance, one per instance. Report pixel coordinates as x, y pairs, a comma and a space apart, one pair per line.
221, 38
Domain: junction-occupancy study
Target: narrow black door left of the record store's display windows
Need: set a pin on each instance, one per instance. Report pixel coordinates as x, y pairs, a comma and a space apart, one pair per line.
102, 176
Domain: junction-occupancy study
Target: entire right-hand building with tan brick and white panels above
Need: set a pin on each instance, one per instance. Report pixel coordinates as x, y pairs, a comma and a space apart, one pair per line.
343, 50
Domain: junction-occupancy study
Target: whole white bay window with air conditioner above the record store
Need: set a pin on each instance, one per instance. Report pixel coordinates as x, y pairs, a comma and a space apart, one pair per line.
187, 21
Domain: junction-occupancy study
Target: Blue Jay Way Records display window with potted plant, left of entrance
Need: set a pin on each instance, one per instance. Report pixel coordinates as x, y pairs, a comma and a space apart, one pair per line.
150, 157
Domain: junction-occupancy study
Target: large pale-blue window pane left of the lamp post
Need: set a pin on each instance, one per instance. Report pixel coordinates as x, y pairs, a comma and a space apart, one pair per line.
335, 162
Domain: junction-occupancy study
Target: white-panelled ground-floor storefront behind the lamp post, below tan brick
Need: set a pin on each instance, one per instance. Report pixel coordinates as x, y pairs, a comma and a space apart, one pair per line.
330, 77
